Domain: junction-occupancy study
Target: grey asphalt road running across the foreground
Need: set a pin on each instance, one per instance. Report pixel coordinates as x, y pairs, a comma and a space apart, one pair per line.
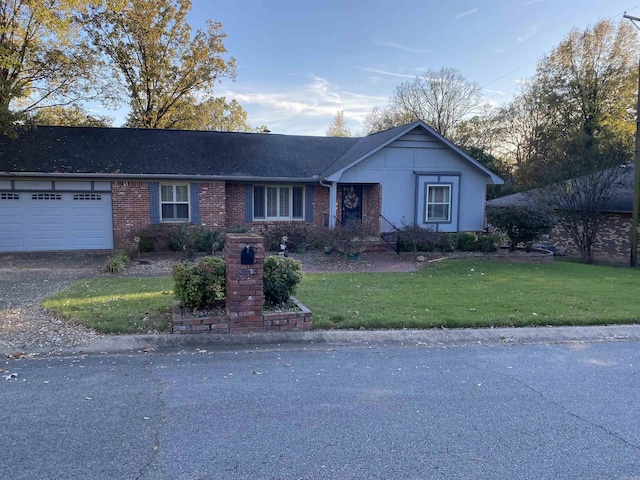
568, 411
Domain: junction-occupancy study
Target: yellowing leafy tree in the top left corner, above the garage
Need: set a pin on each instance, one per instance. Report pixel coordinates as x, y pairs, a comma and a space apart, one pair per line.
43, 63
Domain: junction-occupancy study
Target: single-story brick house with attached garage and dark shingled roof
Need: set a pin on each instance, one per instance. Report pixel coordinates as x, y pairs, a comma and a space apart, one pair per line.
70, 188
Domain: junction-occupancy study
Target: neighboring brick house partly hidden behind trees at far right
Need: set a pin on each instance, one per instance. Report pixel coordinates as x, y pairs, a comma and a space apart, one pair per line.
614, 239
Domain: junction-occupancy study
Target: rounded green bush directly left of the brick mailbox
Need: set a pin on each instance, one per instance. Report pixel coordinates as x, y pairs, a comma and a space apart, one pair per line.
200, 285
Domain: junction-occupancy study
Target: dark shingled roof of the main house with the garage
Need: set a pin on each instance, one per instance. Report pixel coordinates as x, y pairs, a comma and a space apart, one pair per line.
224, 155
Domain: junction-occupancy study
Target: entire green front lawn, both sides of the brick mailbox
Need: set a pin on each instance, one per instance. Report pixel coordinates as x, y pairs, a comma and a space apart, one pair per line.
453, 293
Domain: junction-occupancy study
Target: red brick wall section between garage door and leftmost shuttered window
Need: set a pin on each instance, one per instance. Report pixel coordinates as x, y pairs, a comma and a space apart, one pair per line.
131, 210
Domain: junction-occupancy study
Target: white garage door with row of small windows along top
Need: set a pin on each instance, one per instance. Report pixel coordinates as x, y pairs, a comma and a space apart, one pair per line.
53, 215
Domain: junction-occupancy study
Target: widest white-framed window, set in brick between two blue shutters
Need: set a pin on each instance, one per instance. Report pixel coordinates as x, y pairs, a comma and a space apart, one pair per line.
278, 203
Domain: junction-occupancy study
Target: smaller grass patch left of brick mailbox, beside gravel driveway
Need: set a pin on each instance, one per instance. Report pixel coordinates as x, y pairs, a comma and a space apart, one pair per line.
117, 305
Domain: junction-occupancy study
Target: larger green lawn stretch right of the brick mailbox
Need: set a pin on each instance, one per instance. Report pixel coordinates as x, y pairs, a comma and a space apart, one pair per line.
474, 293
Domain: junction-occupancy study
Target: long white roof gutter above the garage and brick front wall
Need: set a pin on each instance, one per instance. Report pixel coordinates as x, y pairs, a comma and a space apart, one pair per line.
157, 176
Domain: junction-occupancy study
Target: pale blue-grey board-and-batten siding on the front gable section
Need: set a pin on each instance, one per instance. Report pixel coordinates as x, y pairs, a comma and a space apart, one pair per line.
397, 167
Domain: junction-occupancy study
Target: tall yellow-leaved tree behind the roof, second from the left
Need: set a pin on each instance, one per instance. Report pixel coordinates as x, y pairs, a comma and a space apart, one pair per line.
149, 47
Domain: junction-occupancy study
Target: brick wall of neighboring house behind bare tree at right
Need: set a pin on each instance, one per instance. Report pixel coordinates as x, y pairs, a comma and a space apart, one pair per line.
613, 242
